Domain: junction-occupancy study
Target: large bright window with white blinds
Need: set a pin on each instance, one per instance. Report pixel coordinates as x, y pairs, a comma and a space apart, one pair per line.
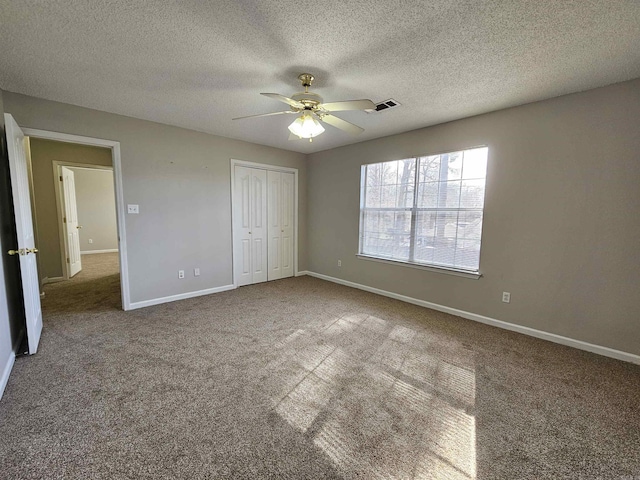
425, 210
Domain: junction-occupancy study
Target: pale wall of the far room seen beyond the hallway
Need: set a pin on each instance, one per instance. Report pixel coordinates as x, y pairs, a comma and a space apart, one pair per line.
96, 201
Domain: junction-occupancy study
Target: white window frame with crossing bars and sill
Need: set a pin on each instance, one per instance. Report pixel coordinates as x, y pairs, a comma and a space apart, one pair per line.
413, 210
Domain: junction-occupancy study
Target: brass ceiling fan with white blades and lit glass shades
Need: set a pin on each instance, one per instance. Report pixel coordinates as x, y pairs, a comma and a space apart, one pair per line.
312, 111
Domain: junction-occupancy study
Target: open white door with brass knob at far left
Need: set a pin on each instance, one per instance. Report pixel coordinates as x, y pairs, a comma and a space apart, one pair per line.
24, 227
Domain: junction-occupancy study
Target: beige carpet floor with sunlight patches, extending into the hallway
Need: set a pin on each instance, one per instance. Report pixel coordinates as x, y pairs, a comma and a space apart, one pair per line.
304, 379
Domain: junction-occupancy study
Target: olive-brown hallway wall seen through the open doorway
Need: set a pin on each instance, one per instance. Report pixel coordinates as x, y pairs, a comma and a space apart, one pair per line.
43, 154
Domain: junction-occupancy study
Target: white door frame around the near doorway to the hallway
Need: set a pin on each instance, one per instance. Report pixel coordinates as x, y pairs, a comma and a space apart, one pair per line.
116, 164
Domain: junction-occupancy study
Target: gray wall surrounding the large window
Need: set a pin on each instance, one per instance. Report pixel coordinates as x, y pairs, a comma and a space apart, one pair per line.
561, 224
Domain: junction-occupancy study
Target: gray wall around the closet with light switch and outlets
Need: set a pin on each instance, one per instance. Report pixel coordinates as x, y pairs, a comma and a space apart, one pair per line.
181, 180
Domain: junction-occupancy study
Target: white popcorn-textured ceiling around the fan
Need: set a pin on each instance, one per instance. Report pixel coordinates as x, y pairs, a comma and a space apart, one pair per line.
197, 64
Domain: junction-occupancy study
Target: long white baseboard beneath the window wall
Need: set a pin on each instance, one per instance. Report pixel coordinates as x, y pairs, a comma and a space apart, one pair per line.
552, 337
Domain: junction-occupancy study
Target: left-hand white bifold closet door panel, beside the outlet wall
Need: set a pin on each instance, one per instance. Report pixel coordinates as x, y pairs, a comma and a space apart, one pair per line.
250, 218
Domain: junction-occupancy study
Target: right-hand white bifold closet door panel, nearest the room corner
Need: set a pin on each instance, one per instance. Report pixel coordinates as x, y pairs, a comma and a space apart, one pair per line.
280, 199
